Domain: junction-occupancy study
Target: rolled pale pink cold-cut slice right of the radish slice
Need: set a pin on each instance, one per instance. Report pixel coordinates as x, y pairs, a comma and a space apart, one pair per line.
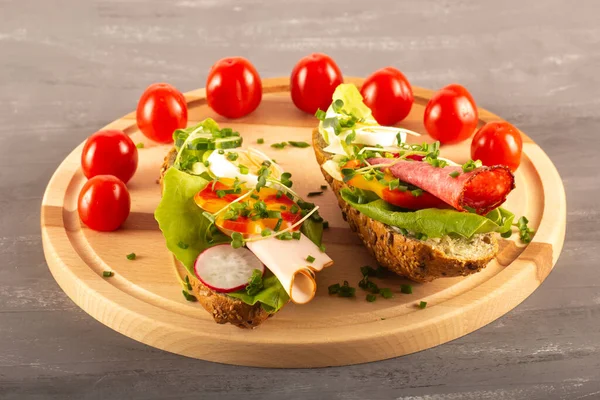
286, 259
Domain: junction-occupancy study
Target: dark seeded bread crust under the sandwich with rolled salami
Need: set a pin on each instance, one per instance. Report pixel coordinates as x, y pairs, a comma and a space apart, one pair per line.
408, 257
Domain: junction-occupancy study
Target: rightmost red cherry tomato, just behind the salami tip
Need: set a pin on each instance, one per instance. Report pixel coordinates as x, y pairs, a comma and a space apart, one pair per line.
498, 143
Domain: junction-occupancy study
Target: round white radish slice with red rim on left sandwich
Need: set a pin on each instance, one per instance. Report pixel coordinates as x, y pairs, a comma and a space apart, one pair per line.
225, 269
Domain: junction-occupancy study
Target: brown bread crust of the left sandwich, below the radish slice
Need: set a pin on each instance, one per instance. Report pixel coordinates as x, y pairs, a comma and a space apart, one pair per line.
224, 309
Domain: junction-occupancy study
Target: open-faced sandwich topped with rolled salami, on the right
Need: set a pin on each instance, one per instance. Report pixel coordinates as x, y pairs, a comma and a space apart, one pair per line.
420, 215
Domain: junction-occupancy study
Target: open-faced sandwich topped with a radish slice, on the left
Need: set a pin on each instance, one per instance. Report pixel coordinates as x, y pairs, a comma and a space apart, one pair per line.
227, 213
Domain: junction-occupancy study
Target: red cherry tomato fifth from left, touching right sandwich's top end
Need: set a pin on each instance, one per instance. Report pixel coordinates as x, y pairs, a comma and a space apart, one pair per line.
313, 81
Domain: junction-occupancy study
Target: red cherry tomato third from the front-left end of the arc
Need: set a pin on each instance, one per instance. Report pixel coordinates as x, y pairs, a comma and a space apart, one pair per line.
161, 110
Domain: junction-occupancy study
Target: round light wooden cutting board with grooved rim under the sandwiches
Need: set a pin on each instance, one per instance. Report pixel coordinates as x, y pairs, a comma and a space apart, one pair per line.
143, 300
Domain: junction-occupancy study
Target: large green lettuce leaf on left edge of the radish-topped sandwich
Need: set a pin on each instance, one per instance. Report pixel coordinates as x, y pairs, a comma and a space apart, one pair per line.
185, 229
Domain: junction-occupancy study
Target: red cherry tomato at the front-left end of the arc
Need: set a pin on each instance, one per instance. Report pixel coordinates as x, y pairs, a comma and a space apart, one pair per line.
104, 203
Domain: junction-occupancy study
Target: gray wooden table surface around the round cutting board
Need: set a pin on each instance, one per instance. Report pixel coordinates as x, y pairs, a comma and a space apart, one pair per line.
69, 67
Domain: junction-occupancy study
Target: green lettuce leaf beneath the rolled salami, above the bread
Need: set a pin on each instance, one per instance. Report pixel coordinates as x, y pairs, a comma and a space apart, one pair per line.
432, 222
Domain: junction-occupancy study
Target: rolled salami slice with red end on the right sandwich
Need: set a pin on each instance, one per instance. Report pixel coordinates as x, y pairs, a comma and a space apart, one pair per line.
482, 189
